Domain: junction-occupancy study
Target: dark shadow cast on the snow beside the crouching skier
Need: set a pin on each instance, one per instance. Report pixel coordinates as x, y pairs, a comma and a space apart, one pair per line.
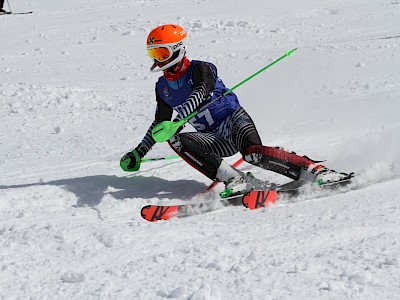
91, 190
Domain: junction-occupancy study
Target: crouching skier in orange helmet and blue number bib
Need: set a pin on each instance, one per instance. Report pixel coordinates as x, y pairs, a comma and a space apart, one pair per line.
223, 129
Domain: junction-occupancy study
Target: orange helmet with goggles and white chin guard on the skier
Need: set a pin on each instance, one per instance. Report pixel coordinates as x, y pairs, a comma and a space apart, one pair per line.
164, 42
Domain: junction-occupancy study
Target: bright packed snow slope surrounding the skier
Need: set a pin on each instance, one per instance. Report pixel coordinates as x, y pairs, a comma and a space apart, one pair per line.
76, 94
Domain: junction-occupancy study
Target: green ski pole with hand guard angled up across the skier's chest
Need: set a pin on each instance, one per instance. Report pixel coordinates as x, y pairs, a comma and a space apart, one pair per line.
163, 131
